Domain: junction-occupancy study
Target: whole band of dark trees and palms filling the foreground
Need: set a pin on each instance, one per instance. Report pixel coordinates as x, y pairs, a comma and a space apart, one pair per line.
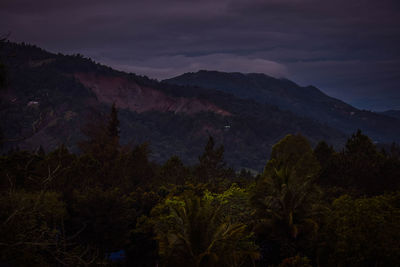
110, 205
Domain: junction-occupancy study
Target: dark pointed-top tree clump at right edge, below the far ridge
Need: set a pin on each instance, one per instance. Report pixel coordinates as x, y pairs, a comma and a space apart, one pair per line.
360, 168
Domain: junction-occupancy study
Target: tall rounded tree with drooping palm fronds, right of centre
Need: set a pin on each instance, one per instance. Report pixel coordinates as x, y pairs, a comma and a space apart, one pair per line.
286, 198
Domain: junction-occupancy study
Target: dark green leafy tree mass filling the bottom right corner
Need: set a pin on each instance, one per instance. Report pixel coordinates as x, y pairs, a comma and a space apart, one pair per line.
364, 231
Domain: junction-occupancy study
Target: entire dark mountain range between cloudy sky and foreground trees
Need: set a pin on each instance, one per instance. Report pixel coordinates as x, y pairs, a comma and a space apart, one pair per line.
50, 97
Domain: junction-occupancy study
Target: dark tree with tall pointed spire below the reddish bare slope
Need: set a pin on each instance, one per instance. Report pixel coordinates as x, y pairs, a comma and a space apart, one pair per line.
113, 164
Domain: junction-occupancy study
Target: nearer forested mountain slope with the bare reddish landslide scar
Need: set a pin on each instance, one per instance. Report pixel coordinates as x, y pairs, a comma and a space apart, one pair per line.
50, 97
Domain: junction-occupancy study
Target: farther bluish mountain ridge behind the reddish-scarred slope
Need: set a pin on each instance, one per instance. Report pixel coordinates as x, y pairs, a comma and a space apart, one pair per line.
306, 101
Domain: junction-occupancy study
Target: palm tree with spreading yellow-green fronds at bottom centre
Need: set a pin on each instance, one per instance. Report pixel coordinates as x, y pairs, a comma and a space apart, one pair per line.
197, 234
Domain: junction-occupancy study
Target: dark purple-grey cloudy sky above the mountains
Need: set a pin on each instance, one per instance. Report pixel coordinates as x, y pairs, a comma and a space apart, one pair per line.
350, 49
